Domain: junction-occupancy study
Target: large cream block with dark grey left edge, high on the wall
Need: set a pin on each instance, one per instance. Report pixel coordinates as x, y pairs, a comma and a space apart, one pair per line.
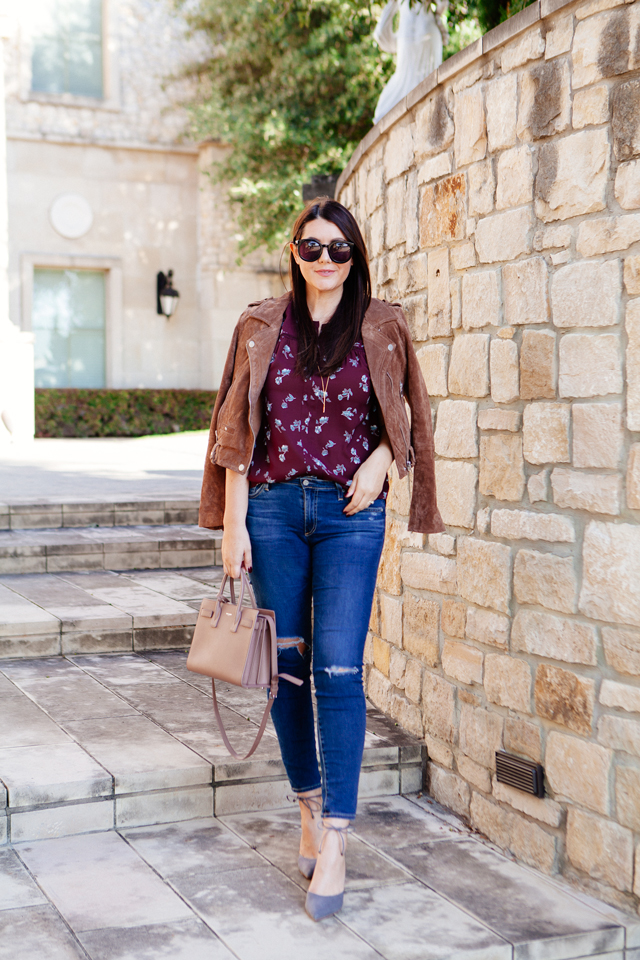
572, 175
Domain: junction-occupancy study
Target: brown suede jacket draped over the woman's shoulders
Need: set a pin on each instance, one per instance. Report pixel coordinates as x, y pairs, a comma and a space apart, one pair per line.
395, 375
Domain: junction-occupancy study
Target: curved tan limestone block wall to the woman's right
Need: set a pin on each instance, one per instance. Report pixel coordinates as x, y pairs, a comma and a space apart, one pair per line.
501, 203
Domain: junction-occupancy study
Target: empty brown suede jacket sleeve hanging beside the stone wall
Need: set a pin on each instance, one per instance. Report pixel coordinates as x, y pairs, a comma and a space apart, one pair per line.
424, 516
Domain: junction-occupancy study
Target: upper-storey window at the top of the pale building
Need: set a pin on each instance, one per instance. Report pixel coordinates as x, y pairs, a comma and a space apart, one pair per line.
67, 47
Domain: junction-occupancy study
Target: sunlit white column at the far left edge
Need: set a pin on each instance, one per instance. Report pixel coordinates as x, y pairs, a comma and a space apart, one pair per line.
17, 419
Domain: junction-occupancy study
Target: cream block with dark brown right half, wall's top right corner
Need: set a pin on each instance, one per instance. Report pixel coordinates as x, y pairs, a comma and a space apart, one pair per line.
601, 47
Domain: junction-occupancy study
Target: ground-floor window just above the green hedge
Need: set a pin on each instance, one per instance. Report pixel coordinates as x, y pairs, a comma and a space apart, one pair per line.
69, 326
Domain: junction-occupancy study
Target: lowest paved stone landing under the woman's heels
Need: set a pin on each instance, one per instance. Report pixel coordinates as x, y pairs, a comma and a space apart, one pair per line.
419, 887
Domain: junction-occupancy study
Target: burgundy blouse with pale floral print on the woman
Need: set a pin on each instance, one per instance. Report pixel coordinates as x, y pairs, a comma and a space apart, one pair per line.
304, 432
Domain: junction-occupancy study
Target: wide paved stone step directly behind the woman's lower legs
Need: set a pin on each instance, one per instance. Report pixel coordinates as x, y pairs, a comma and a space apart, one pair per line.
95, 743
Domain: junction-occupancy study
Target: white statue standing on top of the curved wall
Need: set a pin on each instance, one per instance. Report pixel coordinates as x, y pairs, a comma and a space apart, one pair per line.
417, 43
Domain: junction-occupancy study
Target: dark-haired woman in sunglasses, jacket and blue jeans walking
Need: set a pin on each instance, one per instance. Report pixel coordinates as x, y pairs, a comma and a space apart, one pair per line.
309, 417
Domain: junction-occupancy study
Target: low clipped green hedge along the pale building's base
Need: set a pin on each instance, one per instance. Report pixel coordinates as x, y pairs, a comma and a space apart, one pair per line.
121, 413
